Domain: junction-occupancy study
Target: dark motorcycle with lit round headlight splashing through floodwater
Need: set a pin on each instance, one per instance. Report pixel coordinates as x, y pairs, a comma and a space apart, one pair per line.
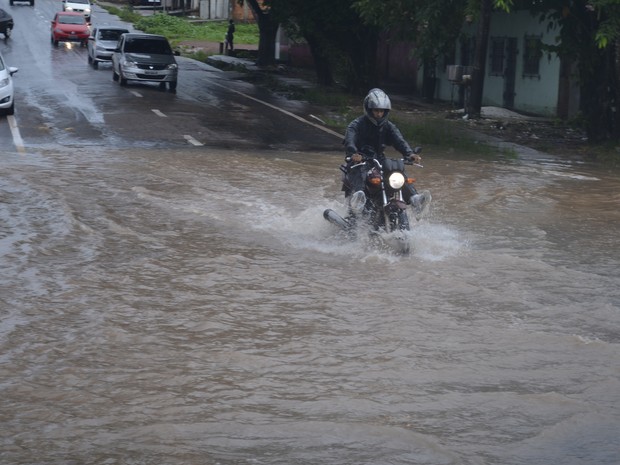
382, 205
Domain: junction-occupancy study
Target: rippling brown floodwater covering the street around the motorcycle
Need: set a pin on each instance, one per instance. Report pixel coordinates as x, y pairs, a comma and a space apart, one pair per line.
193, 307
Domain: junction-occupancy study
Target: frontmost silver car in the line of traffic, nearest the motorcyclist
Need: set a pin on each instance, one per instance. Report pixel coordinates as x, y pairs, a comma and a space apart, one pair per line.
144, 57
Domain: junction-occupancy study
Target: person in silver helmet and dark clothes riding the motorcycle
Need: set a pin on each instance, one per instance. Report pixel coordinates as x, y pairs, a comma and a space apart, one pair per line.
370, 134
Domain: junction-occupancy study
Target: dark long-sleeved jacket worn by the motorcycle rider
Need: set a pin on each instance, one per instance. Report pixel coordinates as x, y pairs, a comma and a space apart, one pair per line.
361, 132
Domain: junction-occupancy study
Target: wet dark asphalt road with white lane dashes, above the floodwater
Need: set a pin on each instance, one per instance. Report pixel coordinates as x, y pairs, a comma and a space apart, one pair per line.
62, 101
